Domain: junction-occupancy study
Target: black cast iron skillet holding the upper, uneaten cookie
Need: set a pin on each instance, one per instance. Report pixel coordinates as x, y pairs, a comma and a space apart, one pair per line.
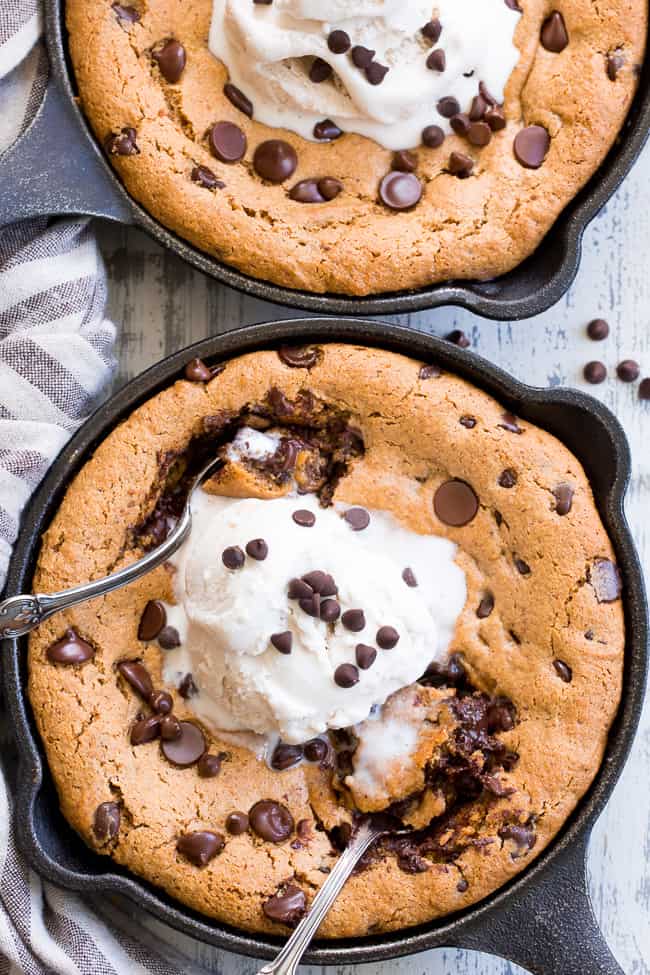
58, 168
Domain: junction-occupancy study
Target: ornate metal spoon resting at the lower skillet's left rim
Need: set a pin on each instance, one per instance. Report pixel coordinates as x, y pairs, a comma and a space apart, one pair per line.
20, 614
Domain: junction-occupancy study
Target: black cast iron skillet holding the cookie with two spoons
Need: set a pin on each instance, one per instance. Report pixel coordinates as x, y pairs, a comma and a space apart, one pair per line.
543, 919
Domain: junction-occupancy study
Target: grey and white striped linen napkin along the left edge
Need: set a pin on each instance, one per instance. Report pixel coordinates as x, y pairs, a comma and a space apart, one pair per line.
56, 356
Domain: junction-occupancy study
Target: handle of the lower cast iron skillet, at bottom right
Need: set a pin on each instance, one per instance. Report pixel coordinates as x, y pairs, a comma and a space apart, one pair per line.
549, 929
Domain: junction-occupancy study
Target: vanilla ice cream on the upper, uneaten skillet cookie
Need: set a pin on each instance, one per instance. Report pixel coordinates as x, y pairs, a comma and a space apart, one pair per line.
268, 48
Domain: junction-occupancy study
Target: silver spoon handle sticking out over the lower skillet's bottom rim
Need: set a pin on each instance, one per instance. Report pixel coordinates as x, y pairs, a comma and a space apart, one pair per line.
289, 958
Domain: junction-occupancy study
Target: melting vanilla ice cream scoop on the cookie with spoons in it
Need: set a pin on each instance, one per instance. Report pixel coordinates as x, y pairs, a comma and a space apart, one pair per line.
226, 617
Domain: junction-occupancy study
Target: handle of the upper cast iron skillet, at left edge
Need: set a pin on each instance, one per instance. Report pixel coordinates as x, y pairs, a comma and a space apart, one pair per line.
53, 169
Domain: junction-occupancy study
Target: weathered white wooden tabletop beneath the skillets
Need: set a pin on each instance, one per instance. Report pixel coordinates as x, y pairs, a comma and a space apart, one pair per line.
160, 305
